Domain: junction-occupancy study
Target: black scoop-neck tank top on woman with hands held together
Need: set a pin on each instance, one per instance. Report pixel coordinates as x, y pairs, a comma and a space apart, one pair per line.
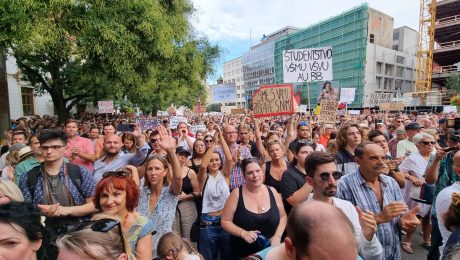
266, 223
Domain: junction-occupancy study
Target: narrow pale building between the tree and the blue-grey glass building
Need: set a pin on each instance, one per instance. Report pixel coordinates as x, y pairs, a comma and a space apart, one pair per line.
233, 73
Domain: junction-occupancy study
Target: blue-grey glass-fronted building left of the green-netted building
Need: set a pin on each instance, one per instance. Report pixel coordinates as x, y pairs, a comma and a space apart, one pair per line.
259, 64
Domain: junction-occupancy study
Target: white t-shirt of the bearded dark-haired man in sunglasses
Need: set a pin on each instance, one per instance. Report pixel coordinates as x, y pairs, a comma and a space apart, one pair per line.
367, 249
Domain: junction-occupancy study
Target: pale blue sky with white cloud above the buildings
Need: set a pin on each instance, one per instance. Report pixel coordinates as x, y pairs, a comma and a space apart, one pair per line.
229, 23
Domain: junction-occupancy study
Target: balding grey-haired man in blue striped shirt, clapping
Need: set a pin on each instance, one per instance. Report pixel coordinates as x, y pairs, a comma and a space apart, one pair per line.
370, 188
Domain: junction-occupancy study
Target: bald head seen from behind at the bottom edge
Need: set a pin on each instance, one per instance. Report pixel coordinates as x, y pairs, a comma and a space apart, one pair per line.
319, 230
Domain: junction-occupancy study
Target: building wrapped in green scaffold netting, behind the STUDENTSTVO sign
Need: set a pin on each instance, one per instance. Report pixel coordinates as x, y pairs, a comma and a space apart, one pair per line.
363, 56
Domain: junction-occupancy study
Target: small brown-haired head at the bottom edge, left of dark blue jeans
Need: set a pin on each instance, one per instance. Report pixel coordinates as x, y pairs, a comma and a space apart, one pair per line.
170, 244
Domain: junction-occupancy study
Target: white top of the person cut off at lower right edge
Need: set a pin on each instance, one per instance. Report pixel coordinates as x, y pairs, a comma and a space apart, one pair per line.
443, 201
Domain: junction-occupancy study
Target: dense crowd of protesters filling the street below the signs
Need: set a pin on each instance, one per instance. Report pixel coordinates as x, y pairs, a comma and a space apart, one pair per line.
281, 187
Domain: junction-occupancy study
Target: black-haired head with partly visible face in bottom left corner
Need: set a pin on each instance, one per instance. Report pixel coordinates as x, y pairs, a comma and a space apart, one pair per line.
21, 232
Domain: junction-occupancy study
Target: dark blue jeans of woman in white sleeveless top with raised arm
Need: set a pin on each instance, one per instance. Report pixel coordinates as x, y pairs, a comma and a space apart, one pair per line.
214, 240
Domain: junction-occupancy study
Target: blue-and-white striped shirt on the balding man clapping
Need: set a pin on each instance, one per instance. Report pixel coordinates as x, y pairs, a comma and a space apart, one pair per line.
353, 188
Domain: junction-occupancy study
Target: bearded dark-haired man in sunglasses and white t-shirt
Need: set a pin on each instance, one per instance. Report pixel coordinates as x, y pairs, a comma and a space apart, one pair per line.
323, 176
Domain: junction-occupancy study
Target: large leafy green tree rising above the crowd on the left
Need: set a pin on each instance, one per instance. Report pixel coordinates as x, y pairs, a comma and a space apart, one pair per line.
87, 50
